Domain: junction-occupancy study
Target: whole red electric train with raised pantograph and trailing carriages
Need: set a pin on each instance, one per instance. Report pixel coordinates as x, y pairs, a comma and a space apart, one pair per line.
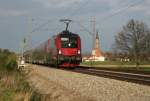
62, 50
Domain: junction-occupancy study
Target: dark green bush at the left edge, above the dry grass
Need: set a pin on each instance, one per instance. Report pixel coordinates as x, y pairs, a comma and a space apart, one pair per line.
7, 60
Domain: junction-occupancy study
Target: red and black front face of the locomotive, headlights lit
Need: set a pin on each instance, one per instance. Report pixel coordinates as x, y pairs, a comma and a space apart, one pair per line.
69, 49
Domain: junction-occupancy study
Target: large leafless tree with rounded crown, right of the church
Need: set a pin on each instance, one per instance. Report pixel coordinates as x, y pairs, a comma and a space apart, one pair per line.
134, 39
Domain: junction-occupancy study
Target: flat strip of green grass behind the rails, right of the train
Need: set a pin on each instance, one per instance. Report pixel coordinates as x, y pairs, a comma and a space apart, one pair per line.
143, 66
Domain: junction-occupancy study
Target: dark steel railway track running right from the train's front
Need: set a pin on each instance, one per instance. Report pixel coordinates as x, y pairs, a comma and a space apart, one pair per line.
134, 77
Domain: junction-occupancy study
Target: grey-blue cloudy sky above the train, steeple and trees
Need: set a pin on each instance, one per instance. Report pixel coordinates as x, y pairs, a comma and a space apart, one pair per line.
19, 17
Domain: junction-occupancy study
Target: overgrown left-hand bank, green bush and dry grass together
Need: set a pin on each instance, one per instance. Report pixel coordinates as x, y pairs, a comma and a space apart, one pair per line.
13, 85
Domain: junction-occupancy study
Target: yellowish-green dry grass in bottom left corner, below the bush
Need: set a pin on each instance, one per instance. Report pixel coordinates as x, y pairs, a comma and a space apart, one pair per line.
14, 87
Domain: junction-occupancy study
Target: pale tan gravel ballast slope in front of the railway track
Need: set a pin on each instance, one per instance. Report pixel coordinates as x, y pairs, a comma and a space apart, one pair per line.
75, 86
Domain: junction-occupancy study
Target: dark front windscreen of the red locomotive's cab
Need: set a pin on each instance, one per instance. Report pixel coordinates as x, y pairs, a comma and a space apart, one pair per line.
69, 42
